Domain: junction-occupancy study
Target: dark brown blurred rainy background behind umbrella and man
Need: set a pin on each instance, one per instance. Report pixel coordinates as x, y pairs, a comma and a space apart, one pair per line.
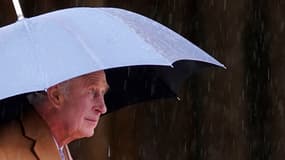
235, 114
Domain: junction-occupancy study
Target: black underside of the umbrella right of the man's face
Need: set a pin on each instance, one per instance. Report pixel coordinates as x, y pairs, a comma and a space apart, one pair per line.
130, 85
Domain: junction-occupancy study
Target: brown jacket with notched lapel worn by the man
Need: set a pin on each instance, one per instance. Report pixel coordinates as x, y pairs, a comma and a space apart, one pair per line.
28, 139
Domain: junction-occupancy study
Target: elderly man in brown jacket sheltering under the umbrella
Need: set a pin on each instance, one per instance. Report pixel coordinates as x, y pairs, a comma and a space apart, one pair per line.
65, 112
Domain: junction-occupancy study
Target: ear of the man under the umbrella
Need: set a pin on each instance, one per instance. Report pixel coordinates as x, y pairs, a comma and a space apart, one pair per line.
55, 96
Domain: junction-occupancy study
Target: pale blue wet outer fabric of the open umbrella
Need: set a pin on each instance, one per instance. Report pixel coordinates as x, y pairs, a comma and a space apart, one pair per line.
41, 51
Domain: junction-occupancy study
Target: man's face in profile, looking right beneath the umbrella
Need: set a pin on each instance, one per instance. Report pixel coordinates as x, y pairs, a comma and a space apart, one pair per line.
83, 104
